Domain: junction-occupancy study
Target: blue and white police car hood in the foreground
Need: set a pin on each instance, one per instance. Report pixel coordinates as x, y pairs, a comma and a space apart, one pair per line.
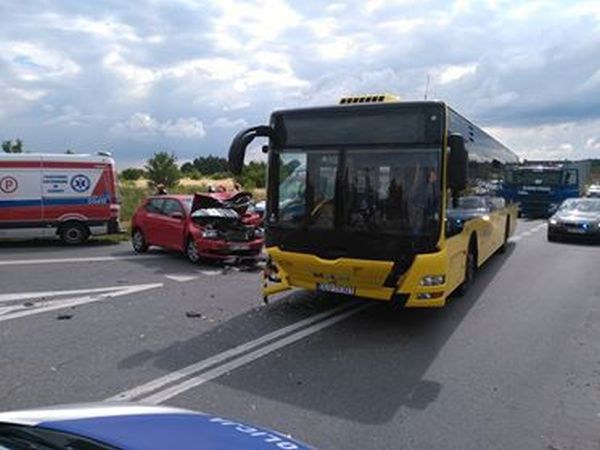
141, 427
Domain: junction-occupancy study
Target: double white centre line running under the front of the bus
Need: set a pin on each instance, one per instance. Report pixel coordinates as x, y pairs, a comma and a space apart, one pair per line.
328, 317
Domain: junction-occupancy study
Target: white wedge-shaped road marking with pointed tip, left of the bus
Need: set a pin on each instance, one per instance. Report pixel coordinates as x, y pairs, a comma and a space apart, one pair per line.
18, 311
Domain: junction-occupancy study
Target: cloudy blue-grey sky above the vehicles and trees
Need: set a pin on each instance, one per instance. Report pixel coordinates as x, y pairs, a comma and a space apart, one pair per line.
136, 77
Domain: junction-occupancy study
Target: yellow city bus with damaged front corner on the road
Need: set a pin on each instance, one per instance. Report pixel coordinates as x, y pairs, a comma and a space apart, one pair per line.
379, 198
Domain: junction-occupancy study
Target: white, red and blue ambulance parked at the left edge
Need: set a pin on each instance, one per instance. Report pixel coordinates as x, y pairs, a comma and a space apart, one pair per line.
51, 195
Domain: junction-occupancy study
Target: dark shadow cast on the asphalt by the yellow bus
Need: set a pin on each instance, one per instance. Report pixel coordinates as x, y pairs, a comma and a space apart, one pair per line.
363, 369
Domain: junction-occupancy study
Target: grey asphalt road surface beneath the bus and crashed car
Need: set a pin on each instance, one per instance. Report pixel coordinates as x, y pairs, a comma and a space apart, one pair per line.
513, 364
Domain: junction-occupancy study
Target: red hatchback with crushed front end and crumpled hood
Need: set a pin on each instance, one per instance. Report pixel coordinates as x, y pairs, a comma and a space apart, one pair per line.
214, 226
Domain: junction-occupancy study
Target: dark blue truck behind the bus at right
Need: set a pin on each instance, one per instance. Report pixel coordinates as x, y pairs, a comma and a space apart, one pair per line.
540, 187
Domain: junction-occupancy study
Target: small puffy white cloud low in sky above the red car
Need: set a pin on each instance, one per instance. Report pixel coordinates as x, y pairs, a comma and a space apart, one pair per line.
143, 125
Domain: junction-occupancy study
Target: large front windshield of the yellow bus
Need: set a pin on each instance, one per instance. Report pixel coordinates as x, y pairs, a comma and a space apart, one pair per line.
389, 191
